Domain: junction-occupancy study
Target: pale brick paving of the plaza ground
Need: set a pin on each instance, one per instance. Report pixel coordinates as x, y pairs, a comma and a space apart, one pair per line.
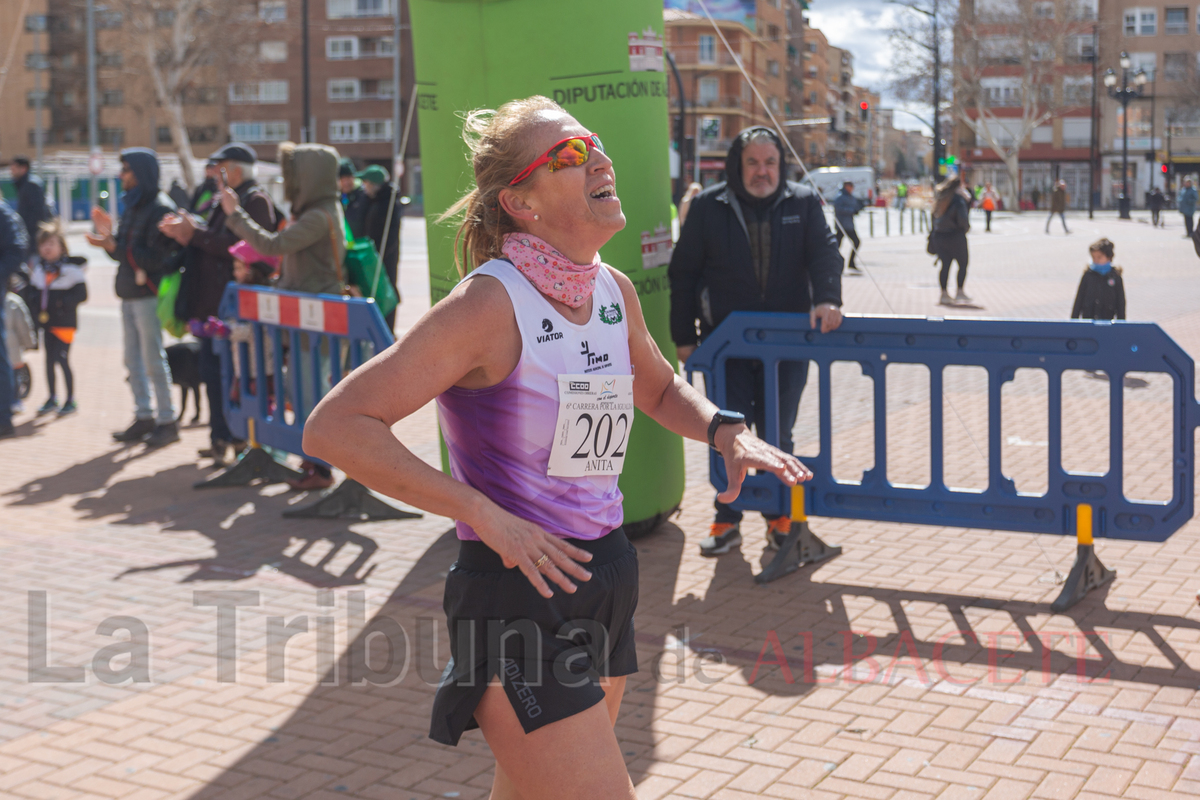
923, 663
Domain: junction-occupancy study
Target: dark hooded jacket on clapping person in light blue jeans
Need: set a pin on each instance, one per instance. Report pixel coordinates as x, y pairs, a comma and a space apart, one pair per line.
139, 240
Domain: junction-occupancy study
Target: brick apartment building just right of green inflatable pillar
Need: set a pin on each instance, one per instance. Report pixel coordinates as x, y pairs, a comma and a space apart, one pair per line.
721, 103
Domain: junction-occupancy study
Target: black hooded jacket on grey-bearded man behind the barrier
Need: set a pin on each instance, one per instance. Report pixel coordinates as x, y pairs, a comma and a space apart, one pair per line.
712, 269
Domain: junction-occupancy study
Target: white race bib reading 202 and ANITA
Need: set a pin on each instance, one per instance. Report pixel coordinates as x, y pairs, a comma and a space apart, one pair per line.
595, 417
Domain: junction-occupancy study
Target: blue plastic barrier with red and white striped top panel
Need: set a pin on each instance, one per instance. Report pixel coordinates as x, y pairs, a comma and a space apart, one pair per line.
317, 329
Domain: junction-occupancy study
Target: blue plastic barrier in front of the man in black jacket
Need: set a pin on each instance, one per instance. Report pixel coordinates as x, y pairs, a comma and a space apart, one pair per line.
1000, 347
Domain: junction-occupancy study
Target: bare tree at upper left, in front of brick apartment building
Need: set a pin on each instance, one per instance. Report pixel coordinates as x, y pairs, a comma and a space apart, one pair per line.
177, 43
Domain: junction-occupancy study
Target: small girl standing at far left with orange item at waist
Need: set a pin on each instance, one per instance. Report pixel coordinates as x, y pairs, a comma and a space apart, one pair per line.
57, 287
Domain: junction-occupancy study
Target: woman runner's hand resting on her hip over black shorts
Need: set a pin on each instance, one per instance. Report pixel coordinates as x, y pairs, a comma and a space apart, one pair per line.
538, 555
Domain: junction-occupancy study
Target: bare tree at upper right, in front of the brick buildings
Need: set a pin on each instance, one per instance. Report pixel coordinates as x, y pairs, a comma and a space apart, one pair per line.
1010, 70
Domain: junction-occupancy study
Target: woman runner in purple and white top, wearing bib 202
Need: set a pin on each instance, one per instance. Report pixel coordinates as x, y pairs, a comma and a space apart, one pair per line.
541, 539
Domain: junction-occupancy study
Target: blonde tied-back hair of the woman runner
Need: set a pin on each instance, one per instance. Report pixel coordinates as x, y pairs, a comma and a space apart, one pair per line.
501, 143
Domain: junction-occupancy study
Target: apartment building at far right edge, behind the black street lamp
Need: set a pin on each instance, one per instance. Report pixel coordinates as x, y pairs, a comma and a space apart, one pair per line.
1165, 125
